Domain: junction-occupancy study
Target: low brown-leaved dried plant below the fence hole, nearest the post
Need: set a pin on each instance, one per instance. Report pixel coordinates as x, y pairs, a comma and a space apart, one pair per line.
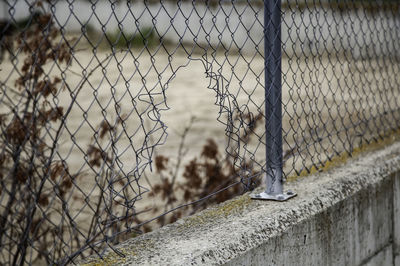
207, 173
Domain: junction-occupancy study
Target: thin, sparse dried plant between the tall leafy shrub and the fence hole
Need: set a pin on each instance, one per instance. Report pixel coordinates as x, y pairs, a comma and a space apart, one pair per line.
103, 161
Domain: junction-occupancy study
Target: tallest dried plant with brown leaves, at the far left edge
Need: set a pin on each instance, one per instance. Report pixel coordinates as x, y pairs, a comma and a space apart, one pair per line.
34, 185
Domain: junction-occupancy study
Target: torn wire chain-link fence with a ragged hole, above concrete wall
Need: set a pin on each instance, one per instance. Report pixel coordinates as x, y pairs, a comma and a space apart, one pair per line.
117, 117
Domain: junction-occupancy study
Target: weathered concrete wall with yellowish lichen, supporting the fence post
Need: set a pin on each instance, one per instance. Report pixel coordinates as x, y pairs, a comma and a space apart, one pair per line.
346, 216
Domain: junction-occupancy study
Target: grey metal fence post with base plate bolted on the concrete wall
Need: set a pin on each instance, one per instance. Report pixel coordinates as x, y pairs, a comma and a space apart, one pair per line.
273, 103
